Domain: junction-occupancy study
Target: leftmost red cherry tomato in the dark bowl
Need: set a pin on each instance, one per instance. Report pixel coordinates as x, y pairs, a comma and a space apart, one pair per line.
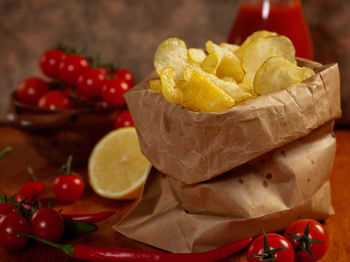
30, 90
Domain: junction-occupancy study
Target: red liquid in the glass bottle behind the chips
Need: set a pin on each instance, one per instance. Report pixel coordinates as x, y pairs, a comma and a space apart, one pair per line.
281, 17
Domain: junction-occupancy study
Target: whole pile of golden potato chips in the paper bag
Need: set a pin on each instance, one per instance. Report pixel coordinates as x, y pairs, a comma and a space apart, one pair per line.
225, 75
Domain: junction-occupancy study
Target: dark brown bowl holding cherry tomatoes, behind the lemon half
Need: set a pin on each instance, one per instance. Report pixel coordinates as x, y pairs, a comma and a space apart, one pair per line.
57, 134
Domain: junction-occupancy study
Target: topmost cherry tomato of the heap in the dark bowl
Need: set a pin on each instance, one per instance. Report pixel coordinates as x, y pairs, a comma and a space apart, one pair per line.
50, 61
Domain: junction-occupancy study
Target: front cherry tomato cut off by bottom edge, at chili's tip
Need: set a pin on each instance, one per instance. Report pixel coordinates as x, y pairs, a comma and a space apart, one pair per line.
257, 247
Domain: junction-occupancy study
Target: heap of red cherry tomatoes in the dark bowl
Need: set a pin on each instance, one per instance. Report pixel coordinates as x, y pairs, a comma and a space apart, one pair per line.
76, 81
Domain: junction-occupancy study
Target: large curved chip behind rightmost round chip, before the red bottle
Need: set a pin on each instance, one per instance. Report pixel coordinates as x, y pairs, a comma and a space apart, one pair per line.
260, 49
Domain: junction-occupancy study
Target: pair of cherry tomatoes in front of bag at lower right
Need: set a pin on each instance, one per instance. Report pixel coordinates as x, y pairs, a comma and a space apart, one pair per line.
305, 240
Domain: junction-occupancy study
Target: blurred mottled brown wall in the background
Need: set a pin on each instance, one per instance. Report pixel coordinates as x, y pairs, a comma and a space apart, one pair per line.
127, 32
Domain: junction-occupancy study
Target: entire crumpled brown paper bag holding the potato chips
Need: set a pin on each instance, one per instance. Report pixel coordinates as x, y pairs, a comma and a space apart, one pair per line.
274, 155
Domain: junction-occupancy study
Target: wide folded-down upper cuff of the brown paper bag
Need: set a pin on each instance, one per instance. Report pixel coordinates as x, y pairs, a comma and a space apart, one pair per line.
194, 147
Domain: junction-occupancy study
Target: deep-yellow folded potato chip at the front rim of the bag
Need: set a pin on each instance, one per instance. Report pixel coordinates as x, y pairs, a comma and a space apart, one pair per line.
200, 94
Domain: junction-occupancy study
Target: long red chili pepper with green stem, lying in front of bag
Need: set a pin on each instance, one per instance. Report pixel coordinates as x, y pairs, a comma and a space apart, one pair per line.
105, 254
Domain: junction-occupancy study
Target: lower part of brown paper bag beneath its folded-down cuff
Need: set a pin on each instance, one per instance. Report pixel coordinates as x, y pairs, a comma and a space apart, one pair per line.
267, 193
